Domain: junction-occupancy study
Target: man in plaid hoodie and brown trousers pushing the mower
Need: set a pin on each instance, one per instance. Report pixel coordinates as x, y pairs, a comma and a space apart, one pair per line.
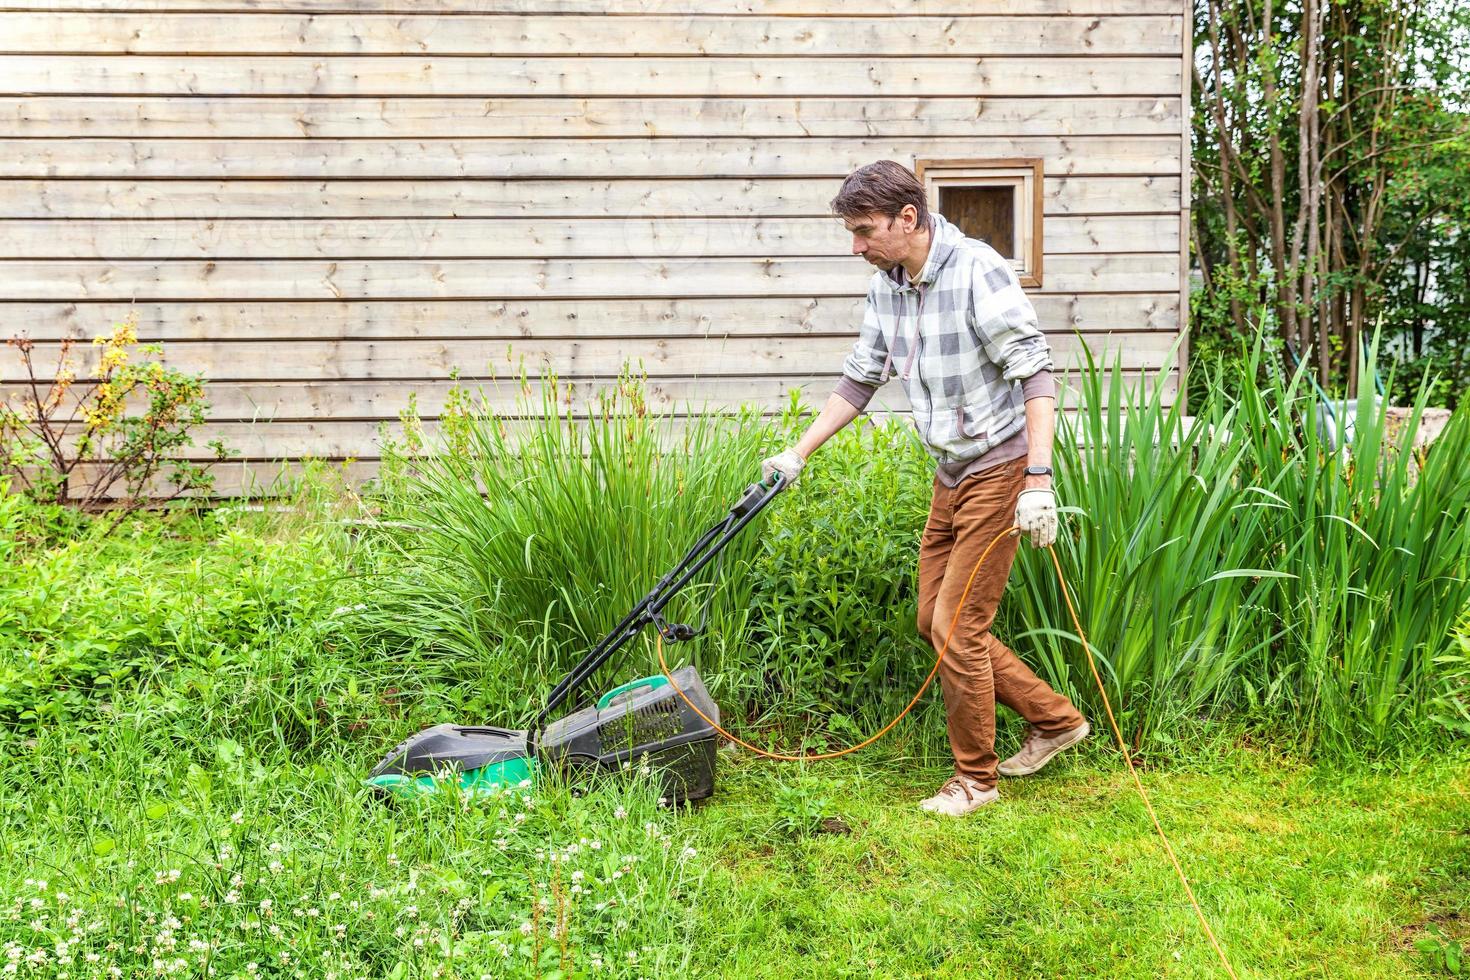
949, 315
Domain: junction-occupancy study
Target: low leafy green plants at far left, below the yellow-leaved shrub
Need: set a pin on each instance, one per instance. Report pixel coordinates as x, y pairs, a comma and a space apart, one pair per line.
89, 619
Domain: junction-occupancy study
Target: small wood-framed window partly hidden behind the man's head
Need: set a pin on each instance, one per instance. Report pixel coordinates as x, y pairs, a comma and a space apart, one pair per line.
997, 202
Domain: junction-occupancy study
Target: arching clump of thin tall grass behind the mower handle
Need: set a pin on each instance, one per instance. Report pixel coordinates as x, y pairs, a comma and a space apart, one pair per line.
526, 537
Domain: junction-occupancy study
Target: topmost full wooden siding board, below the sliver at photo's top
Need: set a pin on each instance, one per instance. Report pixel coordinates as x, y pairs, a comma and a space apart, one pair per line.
637, 36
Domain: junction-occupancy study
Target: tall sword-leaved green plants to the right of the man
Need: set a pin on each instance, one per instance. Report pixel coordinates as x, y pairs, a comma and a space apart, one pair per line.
1243, 563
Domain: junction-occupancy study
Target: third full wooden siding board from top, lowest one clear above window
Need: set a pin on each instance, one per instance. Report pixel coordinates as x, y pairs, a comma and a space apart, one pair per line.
296, 117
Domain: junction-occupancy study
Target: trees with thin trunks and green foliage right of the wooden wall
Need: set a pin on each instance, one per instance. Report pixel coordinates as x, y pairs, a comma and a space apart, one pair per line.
1333, 176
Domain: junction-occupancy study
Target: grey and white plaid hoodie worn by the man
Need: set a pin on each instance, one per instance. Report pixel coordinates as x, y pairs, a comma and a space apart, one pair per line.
962, 339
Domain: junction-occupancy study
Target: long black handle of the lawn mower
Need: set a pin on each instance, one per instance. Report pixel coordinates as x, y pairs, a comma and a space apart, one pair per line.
649, 609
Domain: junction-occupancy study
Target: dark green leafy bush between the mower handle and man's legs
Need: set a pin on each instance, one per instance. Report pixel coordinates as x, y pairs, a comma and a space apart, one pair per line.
834, 586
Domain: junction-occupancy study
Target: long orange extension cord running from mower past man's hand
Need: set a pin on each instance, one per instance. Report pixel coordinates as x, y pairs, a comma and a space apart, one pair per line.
1087, 649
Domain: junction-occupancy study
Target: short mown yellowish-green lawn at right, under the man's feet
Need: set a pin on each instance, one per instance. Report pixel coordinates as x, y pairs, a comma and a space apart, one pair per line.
1303, 873
